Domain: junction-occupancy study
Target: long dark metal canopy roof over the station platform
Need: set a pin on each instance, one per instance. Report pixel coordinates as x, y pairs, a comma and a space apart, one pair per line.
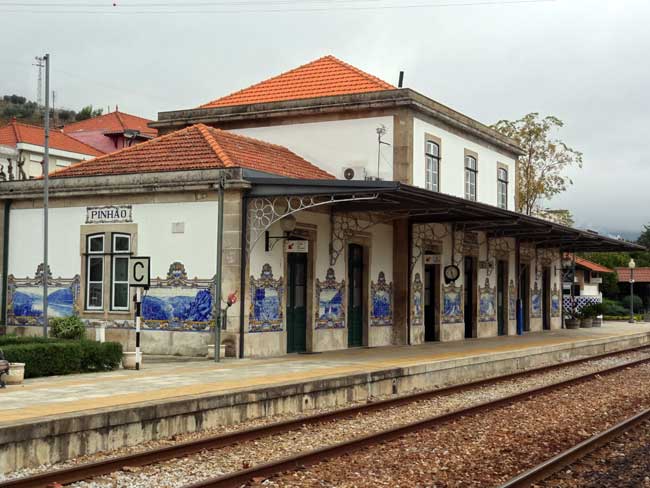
424, 206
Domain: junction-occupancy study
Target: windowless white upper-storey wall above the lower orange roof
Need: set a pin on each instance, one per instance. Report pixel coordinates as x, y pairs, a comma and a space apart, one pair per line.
334, 145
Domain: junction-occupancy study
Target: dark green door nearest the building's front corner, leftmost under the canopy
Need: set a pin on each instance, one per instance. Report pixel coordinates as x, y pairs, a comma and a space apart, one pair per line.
296, 302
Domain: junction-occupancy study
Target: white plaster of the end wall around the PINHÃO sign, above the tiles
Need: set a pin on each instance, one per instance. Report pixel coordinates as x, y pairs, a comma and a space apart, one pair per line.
196, 248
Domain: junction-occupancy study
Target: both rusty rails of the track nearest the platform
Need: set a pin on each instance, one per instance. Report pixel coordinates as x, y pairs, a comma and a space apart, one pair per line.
238, 478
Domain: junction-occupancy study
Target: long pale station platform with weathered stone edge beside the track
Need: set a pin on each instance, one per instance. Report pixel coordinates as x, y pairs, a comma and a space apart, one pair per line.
47, 420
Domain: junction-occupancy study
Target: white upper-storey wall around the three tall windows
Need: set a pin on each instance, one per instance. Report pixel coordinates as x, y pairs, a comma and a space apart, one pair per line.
452, 164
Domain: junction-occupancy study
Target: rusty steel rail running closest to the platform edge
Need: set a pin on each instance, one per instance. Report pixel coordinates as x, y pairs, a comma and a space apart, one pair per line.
98, 468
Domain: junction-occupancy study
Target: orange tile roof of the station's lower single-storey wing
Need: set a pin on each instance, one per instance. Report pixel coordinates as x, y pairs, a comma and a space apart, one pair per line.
197, 147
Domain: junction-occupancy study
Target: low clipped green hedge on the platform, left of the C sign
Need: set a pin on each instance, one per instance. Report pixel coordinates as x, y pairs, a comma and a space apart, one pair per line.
64, 357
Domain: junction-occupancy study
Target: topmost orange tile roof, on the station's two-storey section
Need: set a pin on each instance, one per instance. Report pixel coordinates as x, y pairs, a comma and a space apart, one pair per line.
326, 76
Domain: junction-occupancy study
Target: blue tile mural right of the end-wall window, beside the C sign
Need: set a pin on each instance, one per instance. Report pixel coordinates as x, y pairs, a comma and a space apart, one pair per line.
178, 303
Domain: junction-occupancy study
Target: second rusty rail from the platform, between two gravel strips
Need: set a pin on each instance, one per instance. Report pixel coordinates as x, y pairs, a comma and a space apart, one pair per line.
301, 460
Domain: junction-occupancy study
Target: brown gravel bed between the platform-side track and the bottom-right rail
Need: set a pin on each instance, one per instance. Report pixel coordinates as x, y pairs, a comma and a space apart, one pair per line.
489, 448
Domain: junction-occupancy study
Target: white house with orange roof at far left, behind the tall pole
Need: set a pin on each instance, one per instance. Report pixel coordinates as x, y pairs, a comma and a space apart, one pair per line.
22, 149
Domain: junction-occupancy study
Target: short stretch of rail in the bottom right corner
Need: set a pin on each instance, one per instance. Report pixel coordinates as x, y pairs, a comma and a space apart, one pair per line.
551, 466
